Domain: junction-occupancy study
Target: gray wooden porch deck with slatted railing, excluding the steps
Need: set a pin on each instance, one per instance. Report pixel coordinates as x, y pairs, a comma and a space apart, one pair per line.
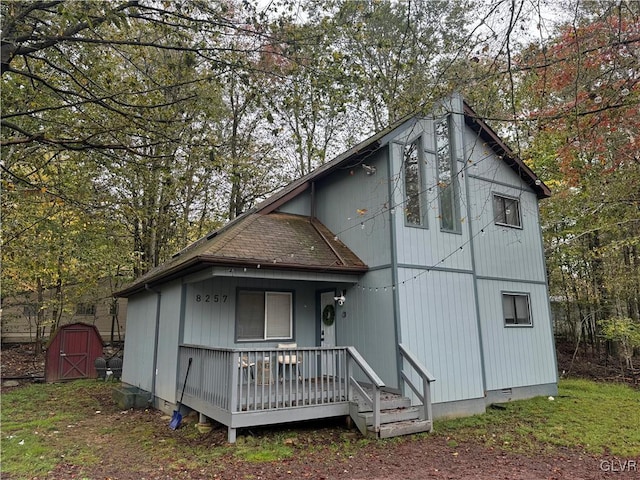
242, 387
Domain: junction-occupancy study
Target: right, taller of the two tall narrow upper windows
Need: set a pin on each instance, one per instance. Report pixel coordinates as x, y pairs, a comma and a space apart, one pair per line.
447, 178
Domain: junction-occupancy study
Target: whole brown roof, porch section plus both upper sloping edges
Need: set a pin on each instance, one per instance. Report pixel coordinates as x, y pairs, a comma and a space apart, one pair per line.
264, 237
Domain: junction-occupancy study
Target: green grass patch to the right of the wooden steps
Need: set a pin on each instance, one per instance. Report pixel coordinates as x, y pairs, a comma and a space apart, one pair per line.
599, 418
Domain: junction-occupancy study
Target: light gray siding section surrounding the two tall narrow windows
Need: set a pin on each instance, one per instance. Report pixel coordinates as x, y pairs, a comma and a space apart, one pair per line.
437, 307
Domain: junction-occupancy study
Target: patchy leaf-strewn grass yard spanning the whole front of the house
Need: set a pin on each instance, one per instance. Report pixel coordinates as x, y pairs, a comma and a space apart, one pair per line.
46, 428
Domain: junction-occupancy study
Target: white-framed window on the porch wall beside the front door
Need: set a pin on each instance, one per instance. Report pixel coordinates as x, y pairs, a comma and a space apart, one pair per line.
264, 315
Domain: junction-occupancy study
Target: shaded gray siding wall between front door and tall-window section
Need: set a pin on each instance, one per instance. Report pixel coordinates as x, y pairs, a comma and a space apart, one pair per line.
345, 201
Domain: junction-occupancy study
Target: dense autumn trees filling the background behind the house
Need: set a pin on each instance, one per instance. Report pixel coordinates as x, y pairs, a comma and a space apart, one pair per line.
150, 123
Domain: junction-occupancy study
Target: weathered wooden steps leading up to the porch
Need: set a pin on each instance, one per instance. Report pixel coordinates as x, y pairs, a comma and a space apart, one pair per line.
397, 417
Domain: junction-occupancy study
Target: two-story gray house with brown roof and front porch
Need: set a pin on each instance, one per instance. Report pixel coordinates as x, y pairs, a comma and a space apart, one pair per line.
407, 272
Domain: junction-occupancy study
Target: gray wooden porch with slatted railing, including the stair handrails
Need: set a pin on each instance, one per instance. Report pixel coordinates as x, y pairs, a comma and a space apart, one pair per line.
248, 387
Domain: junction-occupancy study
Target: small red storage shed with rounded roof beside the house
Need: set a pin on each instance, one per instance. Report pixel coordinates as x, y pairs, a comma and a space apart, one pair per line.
72, 352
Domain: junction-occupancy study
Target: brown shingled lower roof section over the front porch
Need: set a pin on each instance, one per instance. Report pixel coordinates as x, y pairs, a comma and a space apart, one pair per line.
274, 240
